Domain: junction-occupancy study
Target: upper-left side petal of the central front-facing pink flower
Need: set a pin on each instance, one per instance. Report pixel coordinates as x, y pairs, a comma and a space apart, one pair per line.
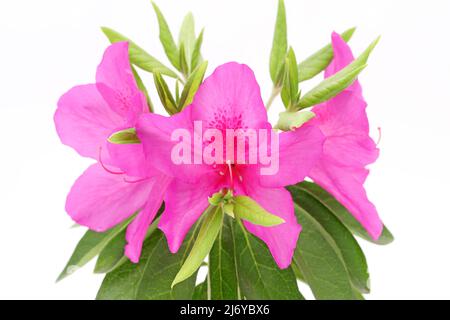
155, 132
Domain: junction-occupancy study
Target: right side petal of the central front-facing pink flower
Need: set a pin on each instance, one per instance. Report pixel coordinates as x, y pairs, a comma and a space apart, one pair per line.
298, 152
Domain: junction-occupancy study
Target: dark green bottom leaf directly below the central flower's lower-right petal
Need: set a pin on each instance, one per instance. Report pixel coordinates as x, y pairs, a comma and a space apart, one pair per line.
259, 276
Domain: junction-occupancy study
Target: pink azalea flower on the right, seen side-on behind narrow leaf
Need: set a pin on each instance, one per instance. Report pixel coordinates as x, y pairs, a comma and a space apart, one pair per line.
348, 148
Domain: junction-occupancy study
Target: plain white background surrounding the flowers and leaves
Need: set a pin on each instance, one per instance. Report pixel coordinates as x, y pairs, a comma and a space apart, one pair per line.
49, 46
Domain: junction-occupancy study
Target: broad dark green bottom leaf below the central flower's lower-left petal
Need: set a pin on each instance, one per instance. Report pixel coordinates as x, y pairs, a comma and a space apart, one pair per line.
152, 277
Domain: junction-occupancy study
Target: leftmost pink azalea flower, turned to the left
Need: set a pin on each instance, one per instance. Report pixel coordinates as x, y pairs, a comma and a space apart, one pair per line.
122, 183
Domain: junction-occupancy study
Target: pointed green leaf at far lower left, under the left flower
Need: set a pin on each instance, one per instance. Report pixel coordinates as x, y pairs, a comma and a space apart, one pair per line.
88, 247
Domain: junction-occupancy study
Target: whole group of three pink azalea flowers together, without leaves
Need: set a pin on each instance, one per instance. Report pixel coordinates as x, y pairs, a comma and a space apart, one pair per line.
333, 149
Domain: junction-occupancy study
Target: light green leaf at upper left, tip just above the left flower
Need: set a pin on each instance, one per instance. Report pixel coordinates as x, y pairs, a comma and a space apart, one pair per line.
138, 56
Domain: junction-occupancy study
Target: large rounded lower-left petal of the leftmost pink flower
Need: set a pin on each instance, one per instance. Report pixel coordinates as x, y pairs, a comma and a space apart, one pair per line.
100, 200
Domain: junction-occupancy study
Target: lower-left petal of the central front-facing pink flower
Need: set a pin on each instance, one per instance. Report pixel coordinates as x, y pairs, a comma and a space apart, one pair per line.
185, 203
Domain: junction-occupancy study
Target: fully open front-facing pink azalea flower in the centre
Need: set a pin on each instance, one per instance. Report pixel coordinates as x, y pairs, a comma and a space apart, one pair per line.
229, 99
